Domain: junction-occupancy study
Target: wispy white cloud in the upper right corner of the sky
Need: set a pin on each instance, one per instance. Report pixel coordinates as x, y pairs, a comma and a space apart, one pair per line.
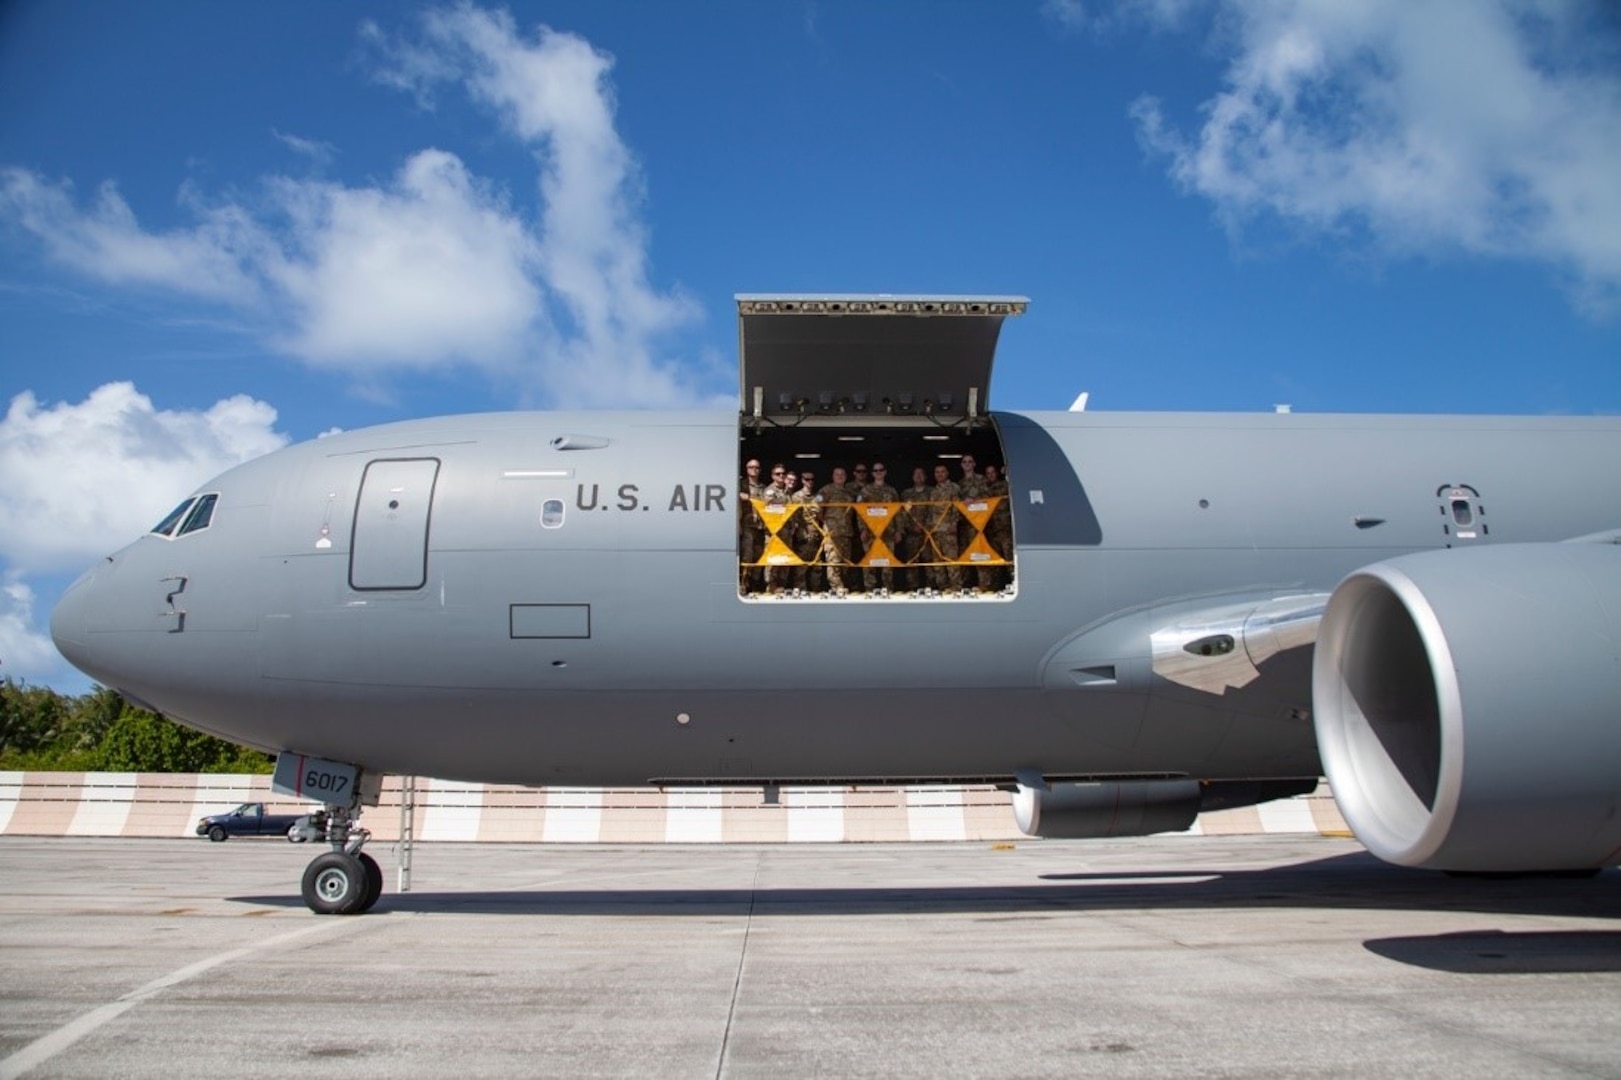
1489, 129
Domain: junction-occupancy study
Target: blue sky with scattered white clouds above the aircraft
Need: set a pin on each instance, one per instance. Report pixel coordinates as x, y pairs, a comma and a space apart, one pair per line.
225, 228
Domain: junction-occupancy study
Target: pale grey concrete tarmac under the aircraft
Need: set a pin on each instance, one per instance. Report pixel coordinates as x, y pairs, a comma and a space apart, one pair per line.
1161, 958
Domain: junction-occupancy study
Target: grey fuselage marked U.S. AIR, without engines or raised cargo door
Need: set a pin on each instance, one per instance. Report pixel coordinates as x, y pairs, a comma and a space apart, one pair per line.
554, 599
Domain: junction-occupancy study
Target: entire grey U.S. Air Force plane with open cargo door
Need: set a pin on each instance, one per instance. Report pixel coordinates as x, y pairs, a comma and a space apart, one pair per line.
1186, 612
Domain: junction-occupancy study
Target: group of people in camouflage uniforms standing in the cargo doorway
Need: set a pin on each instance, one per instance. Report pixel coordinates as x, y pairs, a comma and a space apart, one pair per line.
860, 534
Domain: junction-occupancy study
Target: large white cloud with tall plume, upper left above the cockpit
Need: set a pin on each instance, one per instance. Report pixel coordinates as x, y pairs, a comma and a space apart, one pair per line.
434, 267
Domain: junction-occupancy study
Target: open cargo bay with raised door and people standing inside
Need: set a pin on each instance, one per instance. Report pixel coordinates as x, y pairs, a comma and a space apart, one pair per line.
870, 466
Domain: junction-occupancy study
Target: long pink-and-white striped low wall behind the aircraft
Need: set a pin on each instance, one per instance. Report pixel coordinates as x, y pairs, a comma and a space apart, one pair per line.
169, 805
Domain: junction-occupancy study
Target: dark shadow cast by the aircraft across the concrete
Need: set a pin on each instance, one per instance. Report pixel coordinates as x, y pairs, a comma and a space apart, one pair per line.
1354, 881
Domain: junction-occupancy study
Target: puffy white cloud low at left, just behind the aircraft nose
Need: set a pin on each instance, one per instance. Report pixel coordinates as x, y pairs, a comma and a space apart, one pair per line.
80, 481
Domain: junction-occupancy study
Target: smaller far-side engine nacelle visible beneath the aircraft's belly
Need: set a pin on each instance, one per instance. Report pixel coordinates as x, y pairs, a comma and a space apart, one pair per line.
1089, 812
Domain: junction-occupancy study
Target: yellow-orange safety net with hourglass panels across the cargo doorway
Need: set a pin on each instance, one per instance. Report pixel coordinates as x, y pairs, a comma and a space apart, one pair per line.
879, 528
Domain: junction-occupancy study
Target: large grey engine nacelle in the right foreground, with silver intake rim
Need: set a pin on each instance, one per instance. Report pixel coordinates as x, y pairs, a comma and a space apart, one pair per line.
1468, 706
